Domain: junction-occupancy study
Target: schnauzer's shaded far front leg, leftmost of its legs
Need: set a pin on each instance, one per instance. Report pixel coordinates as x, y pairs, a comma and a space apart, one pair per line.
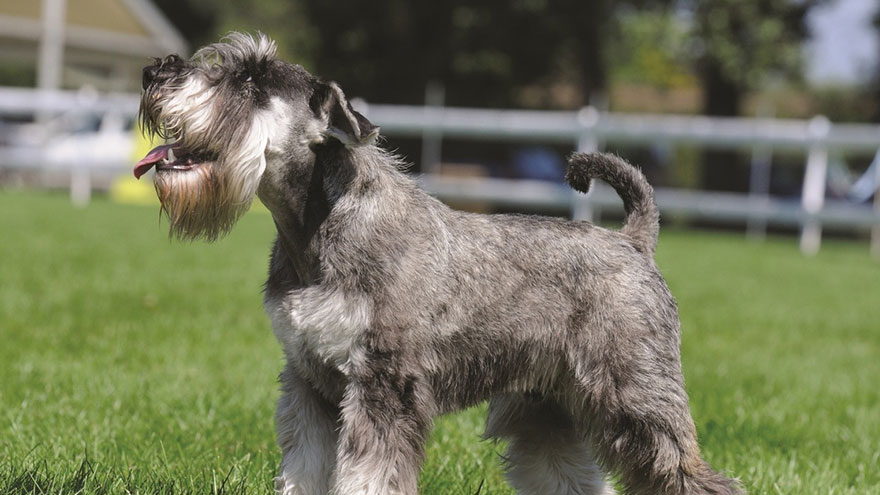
307, 435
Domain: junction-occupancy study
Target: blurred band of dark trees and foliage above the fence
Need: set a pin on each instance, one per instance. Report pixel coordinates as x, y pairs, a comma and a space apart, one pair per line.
518, 53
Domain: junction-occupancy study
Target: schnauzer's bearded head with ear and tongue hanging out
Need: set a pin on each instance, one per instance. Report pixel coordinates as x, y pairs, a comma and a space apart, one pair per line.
229, 113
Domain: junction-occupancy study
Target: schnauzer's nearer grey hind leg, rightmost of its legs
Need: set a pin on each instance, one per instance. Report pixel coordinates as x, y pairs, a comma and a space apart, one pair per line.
632, 404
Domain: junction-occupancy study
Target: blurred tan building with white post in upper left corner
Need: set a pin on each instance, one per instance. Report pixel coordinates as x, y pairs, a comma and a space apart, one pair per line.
74, 43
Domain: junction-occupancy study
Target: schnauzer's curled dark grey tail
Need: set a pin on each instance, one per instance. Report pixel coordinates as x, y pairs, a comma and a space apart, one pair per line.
642, 221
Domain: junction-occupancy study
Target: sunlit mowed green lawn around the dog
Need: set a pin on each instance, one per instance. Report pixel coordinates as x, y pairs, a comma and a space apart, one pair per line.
133, 364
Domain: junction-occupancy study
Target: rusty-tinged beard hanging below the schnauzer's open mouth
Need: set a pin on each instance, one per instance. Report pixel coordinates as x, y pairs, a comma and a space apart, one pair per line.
201, 203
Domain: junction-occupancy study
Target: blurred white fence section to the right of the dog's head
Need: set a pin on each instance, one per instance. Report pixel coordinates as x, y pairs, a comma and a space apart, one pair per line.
587, 128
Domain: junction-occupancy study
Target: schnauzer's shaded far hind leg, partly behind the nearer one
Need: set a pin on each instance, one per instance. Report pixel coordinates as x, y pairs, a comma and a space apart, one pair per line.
545, 455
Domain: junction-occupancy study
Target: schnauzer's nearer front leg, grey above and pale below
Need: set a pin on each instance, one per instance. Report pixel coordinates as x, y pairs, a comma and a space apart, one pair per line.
385, 422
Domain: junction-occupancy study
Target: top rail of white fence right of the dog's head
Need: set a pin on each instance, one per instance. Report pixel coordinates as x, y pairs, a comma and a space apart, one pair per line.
563, 127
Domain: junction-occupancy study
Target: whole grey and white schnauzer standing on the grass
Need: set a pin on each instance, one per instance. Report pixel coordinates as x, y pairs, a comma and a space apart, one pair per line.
392, 308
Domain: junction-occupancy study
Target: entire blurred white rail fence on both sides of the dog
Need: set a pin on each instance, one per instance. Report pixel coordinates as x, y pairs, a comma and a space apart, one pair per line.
585, 130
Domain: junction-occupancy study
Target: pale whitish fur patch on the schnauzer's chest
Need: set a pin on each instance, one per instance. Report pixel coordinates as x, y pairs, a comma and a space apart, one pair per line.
320, 322
